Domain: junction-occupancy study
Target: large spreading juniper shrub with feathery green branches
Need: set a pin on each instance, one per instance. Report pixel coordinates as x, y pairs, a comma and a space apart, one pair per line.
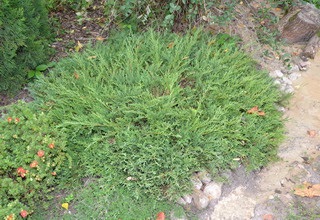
146, 111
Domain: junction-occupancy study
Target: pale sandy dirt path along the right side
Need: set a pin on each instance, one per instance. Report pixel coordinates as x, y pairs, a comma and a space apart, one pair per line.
271, 190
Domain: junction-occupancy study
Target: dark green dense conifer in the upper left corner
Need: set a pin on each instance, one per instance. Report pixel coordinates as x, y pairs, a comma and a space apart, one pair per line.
24, 34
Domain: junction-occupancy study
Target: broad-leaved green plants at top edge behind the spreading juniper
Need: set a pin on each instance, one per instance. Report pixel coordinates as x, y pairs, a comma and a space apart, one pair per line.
135, 14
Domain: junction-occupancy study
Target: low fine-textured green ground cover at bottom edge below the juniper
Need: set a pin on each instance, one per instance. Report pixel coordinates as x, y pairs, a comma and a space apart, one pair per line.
96, 200
